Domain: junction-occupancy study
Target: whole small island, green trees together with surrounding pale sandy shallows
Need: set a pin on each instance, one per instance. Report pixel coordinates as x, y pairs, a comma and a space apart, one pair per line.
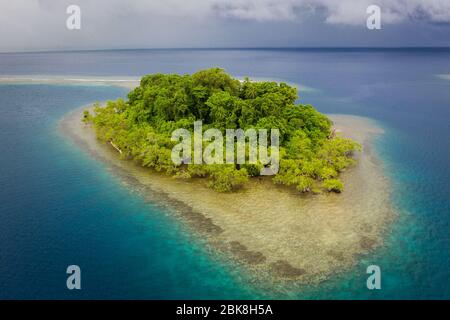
289, 229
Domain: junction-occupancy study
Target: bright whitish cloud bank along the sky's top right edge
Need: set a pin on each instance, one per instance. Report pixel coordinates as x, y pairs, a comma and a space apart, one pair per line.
349, 12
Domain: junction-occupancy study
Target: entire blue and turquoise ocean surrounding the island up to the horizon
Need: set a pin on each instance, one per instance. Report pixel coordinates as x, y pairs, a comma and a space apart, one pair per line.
58, 206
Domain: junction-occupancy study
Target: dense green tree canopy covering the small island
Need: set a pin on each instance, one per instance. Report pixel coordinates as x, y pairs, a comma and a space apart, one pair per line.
311, 155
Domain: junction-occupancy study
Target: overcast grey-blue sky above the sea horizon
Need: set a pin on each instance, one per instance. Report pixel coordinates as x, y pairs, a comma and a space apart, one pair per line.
41, 24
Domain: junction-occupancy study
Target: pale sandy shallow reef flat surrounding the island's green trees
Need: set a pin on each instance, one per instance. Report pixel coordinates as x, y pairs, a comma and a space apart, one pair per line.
276, 233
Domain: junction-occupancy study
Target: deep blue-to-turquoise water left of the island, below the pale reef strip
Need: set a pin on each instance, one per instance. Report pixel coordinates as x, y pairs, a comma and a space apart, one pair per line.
59, 207
